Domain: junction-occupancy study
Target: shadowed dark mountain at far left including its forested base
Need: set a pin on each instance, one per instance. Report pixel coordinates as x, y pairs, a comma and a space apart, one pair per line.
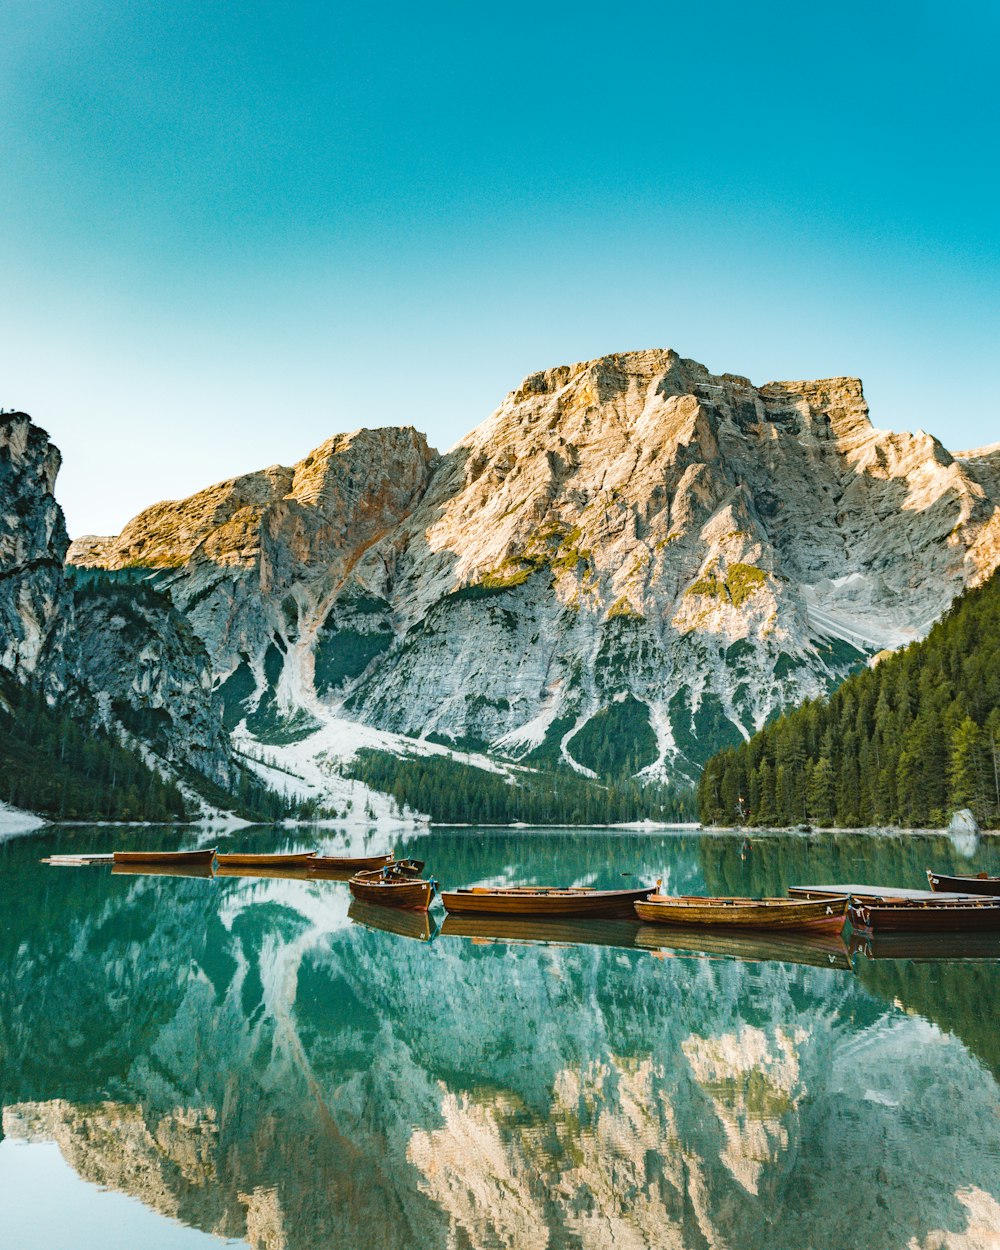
102, 683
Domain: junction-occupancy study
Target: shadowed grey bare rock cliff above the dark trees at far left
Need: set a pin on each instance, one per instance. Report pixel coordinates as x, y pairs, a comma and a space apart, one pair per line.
117, 654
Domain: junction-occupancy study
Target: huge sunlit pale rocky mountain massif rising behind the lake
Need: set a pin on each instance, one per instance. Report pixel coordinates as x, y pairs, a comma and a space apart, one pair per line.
629, 566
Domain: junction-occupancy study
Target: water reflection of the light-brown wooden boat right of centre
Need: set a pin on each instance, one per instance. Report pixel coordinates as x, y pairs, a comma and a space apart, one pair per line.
749, 947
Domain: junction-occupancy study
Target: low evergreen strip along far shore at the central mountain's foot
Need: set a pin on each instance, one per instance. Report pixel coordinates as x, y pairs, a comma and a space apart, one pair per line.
448, 791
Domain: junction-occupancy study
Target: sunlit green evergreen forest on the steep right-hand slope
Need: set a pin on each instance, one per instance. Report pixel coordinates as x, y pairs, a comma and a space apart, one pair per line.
906, 743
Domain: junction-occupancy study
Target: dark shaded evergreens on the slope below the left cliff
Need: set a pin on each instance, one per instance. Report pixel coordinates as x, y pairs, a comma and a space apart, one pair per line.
58, 767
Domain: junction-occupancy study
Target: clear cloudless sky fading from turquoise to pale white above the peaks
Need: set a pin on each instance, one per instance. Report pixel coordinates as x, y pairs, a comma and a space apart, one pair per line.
231, 229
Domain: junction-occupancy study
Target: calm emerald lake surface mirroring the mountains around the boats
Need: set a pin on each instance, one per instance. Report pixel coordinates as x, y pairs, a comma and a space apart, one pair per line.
187, 1063
